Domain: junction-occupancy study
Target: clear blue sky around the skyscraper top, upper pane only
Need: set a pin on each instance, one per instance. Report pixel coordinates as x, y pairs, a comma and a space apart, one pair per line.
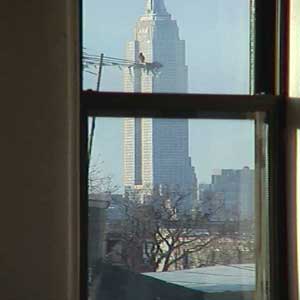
216, 34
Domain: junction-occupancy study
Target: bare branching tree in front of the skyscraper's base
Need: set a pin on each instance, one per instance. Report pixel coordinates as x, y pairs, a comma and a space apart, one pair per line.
158, 234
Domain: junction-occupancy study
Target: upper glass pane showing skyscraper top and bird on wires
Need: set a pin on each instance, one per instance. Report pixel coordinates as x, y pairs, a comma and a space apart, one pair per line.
167, 46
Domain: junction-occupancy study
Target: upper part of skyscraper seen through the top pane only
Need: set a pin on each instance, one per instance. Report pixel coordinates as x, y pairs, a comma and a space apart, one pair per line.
156, 36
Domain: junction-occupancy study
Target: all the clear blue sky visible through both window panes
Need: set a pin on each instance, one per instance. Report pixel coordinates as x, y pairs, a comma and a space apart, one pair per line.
217, 40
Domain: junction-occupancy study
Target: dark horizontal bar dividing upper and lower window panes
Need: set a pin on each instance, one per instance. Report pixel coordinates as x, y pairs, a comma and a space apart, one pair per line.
177, 106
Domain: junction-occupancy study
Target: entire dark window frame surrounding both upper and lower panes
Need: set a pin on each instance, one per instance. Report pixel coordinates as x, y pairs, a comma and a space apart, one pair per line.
269, 88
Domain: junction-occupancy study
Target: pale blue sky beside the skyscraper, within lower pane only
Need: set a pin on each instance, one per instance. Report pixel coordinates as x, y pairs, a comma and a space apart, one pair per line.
208, 158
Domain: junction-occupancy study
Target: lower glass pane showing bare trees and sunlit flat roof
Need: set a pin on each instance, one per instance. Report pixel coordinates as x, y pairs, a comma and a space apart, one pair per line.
172, 209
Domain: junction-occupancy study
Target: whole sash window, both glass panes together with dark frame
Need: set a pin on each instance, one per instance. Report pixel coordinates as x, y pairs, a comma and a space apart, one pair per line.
183, 194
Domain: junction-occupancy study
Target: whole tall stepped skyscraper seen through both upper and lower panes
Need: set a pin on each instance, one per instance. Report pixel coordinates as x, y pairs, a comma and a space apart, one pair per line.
156, 151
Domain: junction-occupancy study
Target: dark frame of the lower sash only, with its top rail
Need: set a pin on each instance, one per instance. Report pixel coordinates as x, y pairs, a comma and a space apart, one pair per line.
200, 106
